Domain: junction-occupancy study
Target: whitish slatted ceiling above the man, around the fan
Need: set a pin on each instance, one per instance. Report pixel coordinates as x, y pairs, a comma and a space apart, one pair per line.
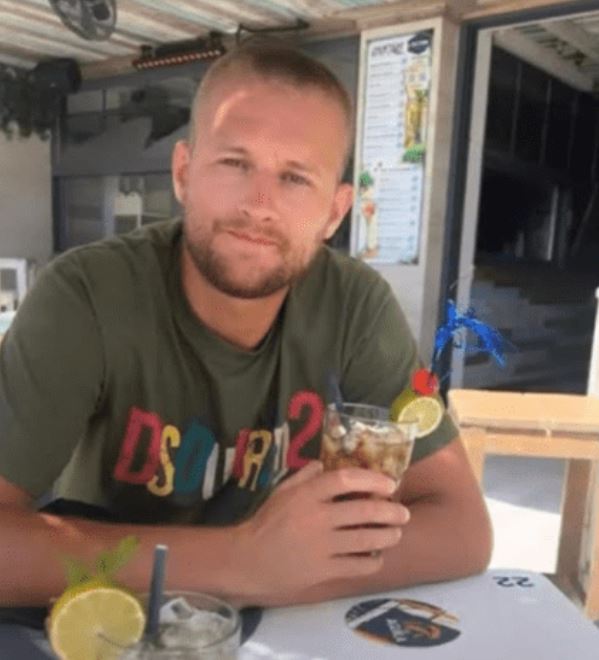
31, 31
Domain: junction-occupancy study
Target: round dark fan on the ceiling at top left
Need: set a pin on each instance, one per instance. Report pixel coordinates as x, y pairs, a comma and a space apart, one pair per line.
93, 20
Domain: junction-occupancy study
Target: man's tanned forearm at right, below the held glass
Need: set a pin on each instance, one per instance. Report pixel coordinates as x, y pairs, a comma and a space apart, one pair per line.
442, 541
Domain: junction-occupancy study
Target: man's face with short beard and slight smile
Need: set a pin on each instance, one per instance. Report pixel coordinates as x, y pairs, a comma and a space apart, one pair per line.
259, 187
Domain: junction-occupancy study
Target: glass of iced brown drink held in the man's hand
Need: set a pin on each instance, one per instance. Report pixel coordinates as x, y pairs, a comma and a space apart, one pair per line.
360, 435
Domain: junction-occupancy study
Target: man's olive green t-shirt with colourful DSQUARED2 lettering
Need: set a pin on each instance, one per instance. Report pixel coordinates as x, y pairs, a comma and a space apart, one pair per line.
113, 393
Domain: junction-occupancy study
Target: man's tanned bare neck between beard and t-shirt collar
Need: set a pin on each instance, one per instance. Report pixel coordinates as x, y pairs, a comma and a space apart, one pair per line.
242, 322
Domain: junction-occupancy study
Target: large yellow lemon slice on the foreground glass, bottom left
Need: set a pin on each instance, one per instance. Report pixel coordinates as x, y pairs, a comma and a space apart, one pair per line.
95, 621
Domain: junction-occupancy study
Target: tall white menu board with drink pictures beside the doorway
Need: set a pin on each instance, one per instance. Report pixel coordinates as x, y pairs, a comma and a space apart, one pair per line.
390, 154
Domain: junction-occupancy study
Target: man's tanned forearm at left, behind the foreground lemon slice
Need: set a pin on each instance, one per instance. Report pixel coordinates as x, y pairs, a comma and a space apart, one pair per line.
34, 545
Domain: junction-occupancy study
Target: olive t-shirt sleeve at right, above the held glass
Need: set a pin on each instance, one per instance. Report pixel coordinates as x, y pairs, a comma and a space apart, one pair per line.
382, 359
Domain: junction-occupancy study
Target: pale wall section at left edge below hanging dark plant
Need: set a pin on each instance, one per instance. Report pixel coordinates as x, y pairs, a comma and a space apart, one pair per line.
25, 199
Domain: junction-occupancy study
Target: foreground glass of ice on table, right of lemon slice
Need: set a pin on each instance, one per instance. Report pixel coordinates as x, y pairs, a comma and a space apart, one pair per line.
192, 625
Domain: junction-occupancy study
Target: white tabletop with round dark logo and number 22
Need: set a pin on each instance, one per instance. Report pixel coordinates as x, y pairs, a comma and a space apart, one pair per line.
500, 615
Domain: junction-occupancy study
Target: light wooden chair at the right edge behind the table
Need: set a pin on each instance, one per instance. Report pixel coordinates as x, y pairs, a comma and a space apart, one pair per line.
549, 426
